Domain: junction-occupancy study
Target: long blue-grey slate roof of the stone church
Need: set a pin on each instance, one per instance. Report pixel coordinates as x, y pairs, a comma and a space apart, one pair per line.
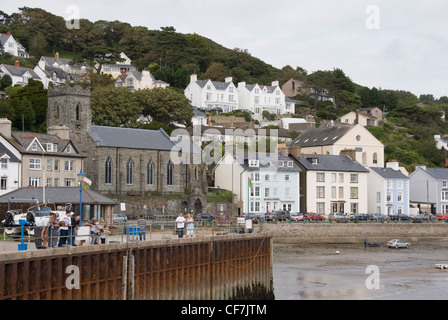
131, 138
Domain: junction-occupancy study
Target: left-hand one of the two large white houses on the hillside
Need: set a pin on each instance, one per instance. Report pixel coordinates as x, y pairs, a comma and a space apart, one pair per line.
212, 95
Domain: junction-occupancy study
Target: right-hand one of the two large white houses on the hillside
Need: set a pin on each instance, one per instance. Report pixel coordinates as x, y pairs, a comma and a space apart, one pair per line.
258, 98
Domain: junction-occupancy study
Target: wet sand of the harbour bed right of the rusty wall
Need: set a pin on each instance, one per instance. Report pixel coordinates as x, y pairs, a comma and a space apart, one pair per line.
310, 272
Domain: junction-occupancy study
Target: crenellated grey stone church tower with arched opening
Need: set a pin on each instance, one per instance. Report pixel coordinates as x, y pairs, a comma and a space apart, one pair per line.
70, 106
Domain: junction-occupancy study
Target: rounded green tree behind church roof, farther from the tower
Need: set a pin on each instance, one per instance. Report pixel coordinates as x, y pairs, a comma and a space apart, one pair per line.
165, 105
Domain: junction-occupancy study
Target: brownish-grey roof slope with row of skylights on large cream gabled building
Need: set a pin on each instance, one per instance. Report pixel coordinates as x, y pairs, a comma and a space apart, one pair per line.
322, 136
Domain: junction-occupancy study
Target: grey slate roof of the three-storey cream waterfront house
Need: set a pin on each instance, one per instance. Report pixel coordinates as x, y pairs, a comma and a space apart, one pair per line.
330, 163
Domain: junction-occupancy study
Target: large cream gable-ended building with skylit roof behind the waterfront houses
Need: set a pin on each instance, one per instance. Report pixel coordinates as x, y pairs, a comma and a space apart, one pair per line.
342, 139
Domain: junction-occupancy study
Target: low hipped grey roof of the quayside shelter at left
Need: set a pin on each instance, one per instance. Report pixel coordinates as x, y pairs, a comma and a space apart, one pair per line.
56, 195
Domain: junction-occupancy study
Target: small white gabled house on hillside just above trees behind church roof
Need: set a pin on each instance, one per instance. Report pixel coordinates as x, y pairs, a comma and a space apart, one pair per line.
136, 80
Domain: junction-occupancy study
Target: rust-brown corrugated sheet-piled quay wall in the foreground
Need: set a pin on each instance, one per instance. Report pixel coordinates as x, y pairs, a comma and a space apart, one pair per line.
203, 268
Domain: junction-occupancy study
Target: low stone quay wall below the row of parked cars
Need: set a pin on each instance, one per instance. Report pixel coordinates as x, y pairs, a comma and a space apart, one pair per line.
353, 232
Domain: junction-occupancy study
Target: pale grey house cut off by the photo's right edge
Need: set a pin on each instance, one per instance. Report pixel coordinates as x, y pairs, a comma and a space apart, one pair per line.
429, 189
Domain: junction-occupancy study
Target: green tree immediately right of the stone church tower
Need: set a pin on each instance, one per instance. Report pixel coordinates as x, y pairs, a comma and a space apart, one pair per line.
115, 107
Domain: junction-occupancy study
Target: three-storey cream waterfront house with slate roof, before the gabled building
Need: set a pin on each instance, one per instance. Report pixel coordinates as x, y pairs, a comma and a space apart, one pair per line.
332, 184
